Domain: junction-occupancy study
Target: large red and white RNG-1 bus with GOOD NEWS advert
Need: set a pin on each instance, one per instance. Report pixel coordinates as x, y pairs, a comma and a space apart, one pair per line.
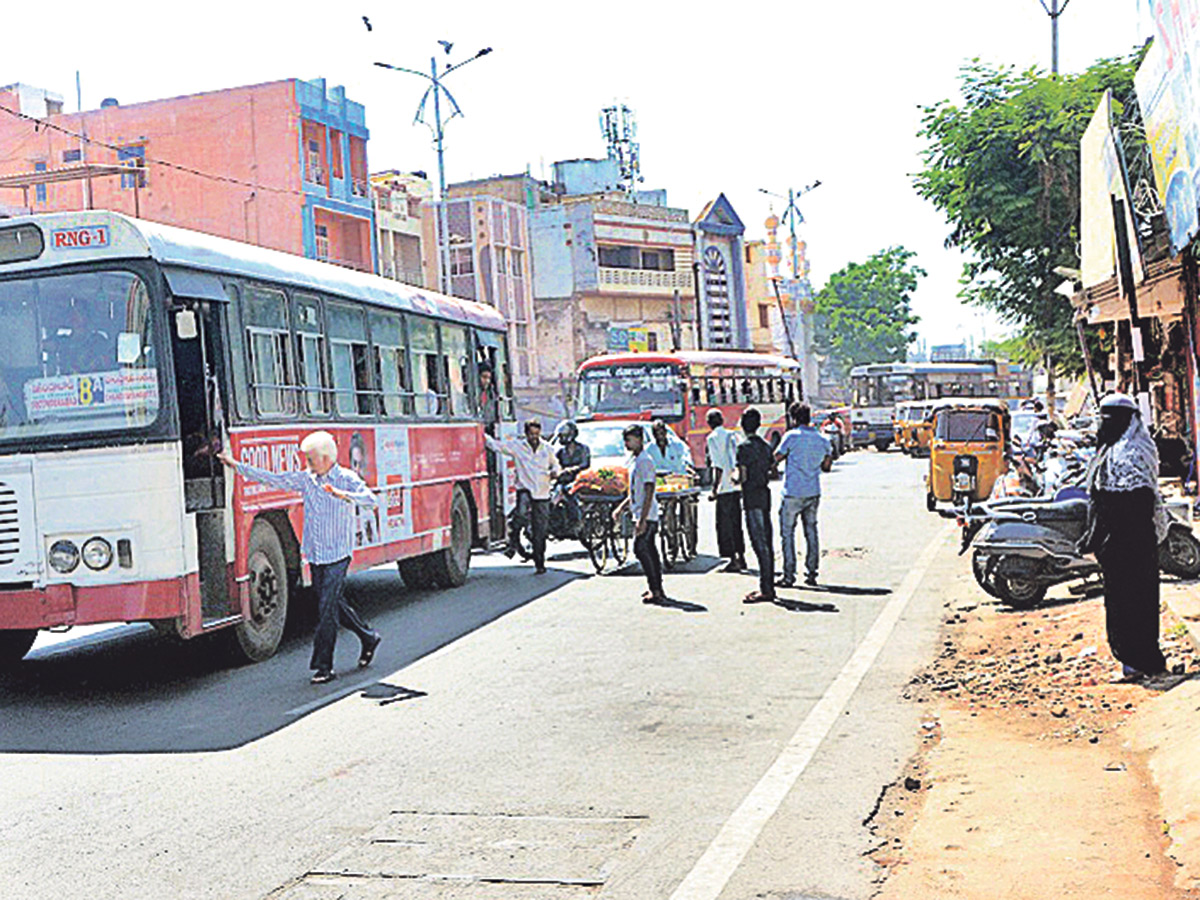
130, 352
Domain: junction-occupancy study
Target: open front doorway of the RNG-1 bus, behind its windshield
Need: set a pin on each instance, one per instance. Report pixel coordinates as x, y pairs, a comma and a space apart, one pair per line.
200, 370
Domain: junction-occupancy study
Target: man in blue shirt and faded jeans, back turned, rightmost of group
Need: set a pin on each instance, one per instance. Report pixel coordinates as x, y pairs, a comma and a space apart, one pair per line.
808, 454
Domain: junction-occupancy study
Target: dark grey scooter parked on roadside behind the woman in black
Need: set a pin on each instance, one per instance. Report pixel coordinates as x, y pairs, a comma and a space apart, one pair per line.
1024, 547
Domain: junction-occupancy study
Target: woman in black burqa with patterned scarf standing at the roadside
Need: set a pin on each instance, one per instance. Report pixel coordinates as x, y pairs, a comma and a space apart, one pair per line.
1126, 525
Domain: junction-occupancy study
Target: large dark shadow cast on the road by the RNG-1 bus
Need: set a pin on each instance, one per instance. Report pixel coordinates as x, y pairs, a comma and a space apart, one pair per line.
136, 692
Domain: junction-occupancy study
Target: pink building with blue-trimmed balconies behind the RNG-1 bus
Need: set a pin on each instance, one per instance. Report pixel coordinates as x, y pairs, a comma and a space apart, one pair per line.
283, 165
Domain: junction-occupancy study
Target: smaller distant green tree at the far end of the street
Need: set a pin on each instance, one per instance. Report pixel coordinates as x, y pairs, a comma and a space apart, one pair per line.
865, 315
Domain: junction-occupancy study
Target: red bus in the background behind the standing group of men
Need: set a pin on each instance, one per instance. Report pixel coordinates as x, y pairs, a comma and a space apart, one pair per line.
682, 387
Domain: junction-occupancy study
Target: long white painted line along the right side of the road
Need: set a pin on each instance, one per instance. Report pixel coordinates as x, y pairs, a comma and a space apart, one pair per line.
715, 869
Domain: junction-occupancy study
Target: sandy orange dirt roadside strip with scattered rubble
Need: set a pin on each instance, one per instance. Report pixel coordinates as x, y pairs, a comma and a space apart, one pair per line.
1025, 785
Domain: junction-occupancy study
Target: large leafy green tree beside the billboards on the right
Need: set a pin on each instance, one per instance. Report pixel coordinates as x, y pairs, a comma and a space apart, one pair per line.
1004, 167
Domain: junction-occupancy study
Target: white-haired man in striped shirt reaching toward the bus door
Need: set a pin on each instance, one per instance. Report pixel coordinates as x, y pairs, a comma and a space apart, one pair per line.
331, 495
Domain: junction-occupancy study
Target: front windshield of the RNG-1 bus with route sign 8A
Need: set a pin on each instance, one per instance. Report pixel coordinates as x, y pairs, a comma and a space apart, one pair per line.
76, 356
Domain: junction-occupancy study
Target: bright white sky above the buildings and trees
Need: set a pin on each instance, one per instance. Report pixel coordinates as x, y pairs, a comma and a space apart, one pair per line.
728, 98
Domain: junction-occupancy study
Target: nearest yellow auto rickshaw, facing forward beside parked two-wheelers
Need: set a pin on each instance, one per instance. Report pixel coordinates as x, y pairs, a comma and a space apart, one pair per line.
969, 451
